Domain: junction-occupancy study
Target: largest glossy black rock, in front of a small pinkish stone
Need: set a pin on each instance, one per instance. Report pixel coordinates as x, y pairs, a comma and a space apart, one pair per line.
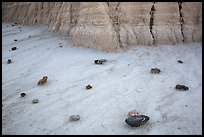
136, 121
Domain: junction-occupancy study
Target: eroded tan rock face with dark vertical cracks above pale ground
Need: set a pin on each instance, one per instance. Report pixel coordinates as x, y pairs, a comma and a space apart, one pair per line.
113, 25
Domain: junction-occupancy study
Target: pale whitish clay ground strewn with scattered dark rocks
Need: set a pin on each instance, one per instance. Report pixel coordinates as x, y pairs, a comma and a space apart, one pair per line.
122, 84
